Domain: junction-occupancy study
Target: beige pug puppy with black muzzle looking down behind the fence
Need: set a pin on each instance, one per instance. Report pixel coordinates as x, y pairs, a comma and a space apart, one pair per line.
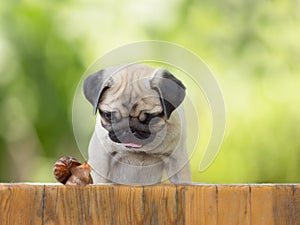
138, 132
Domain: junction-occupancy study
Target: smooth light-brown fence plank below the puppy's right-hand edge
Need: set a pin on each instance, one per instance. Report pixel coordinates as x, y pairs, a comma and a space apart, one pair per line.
201, 205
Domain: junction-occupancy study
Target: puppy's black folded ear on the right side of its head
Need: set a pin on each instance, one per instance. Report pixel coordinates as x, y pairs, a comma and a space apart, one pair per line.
170, 89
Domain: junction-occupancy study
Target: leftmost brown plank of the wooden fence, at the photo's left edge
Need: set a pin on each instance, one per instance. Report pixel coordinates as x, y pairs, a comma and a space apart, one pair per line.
21, 204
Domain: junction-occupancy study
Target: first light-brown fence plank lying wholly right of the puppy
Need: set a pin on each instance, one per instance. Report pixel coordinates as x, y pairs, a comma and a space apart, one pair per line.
233, 205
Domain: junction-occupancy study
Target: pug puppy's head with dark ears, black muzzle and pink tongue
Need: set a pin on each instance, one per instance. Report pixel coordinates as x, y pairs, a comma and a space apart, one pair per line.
134, 101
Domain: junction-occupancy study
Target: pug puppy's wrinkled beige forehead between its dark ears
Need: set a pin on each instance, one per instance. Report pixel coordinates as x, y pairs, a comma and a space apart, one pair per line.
130, 92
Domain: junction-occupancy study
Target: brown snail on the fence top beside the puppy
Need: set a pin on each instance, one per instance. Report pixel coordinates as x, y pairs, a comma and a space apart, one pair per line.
69, 171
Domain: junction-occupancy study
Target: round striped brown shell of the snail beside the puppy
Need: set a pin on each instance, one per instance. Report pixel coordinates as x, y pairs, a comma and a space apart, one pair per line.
62, 168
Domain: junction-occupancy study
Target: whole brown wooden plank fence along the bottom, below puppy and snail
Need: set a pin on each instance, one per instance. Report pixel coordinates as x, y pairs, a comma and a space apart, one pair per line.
22, 204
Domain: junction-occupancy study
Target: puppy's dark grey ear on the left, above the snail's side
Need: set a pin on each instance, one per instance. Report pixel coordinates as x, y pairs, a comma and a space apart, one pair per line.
94, 85
